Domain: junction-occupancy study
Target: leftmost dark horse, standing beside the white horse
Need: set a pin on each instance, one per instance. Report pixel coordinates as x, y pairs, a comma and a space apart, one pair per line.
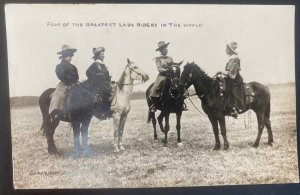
80, 103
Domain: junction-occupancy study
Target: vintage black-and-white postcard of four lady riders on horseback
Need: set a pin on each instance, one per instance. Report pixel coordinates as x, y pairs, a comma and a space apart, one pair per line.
151, 95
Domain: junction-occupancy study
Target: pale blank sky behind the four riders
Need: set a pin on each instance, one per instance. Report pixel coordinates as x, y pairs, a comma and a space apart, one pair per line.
35, 33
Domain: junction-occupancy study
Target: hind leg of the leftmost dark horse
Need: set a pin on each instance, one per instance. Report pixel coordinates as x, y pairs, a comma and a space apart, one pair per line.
49, 129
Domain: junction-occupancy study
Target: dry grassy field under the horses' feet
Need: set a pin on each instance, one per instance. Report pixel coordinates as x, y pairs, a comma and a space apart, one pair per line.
145, 163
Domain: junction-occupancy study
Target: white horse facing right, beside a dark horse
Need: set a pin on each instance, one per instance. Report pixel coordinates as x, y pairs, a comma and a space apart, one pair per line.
121, 100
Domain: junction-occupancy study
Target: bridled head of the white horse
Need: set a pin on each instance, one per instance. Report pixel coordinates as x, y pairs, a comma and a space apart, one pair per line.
135, 72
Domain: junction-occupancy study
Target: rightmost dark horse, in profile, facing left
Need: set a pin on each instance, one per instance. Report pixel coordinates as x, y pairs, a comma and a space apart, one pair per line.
209, 93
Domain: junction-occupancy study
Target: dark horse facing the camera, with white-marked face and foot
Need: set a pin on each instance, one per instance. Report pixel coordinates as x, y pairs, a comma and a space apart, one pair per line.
171, 102
